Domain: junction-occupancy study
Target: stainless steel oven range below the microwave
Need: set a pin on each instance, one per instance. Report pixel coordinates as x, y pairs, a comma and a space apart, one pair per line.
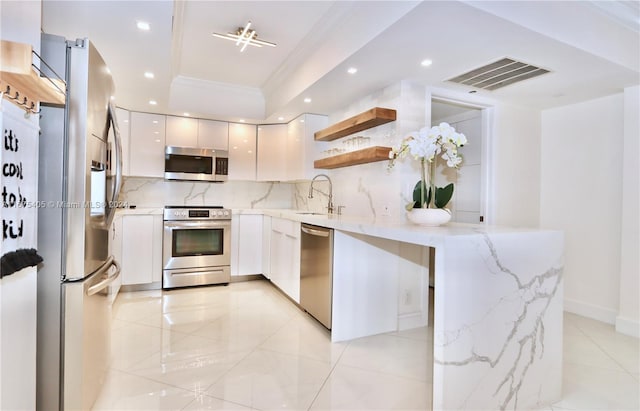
196, 246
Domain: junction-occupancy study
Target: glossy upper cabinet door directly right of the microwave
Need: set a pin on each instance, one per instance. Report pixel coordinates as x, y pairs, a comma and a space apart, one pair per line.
242, 152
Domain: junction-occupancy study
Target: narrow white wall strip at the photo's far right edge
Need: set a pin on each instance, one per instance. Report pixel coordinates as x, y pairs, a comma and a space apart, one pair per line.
628, 320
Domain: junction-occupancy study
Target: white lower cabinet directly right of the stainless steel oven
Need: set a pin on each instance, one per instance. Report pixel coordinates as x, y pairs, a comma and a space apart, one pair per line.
246, 244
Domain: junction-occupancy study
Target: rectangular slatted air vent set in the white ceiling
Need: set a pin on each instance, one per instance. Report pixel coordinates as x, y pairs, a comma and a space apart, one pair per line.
498, 74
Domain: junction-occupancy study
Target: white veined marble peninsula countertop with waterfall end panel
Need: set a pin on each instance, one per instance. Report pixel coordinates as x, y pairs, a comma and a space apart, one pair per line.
497, 312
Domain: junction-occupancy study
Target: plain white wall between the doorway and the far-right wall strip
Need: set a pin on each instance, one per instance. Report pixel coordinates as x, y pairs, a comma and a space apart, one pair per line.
581, 191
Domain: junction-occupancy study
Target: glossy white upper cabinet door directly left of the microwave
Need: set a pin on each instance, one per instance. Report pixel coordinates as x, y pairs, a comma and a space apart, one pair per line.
146, 144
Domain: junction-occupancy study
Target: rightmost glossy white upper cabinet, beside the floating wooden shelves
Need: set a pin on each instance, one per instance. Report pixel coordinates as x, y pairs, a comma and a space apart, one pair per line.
301, 148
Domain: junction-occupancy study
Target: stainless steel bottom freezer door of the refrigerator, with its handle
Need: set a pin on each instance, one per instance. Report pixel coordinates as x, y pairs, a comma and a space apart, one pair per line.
87, 337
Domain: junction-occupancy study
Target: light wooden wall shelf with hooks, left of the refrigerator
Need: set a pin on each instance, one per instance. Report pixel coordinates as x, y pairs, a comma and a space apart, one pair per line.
17, 72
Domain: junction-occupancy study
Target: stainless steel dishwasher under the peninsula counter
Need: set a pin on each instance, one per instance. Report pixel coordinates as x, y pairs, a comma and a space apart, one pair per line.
316, 271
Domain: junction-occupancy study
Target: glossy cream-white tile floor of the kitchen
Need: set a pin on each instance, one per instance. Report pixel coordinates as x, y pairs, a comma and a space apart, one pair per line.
245, 346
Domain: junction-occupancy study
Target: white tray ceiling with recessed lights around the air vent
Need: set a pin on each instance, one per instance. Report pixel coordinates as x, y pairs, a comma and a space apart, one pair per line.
595, 54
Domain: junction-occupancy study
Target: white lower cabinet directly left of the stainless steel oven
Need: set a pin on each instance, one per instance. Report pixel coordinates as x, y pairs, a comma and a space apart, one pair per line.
138, 248
